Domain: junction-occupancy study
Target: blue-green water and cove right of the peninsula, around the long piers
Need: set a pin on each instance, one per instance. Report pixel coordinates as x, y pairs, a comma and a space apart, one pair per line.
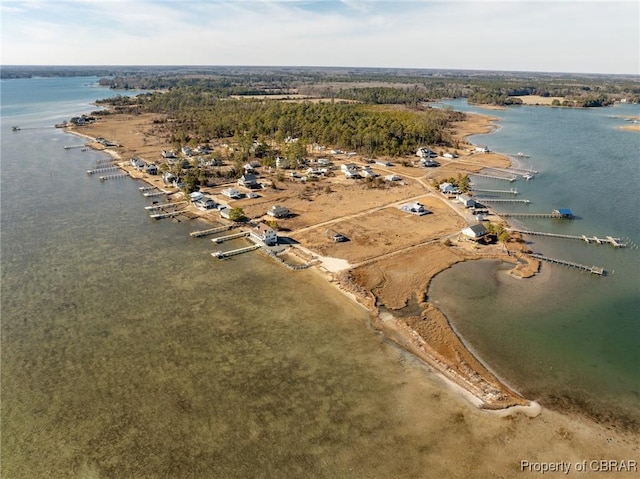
565, 338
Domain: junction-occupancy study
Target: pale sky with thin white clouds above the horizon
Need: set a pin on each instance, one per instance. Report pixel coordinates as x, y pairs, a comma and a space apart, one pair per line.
555, 36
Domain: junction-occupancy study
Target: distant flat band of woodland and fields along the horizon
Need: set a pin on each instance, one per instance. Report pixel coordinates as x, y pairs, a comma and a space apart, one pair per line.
407, 87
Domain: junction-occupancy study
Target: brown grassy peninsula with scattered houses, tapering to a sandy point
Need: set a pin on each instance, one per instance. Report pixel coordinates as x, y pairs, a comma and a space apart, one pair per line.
390, 255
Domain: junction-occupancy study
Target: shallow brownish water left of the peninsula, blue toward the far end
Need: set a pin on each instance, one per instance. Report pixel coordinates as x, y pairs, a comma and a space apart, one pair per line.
128, 351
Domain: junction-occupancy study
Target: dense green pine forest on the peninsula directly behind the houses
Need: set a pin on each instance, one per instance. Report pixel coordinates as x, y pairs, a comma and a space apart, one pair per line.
200, 116
